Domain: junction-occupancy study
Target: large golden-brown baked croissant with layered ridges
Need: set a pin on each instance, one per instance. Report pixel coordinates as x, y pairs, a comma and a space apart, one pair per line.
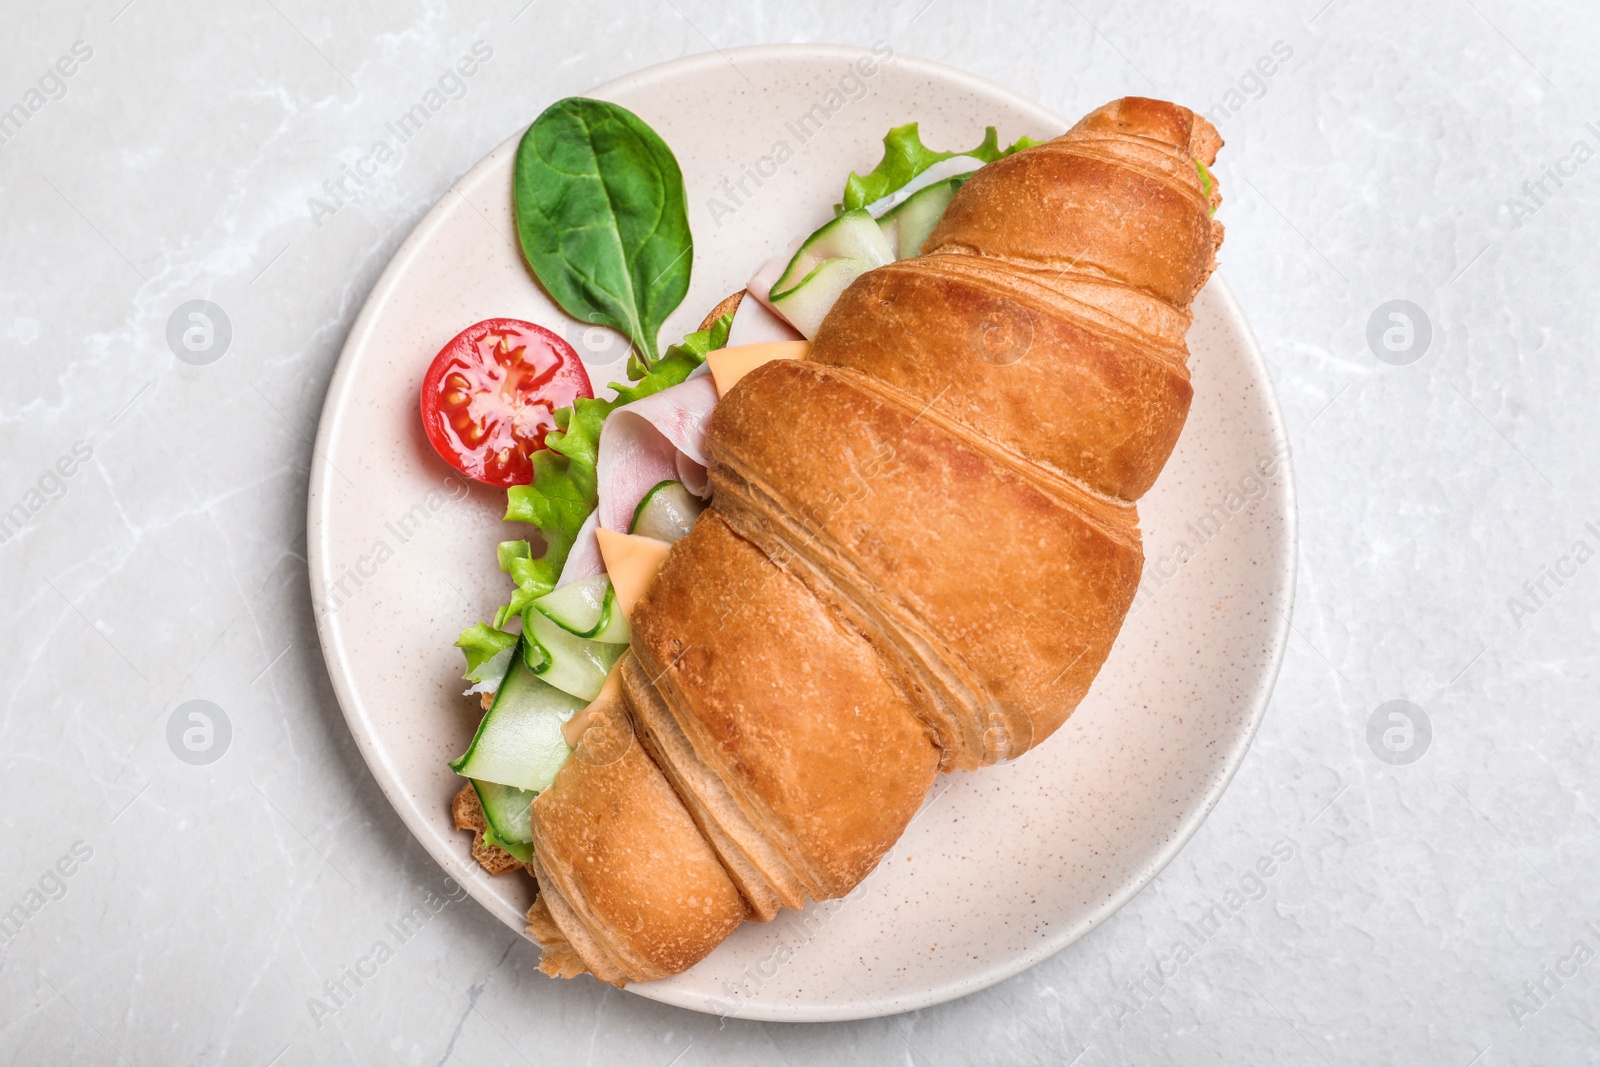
921, 548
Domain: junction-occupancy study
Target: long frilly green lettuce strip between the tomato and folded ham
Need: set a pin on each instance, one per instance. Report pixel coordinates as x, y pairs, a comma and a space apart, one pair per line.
564, 489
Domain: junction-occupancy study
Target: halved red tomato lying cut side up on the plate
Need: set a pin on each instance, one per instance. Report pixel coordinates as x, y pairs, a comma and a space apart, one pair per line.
490, 398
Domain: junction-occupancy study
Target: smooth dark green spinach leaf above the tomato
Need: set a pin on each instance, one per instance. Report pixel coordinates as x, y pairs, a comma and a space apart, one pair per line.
604, 220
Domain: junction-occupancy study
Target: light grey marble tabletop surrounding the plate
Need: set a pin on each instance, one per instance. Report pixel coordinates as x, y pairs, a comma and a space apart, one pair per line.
1436, 911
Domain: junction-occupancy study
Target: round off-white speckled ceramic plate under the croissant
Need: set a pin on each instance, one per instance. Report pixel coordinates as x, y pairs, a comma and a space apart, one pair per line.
1002, 868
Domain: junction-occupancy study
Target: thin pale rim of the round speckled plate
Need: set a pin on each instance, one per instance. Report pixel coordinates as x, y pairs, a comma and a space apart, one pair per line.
343, 391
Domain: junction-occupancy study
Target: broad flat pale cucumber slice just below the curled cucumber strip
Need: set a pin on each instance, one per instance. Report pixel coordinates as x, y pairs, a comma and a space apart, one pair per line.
521, 743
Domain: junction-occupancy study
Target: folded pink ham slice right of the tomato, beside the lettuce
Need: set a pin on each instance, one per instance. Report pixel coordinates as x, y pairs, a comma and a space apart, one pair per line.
654, 441
